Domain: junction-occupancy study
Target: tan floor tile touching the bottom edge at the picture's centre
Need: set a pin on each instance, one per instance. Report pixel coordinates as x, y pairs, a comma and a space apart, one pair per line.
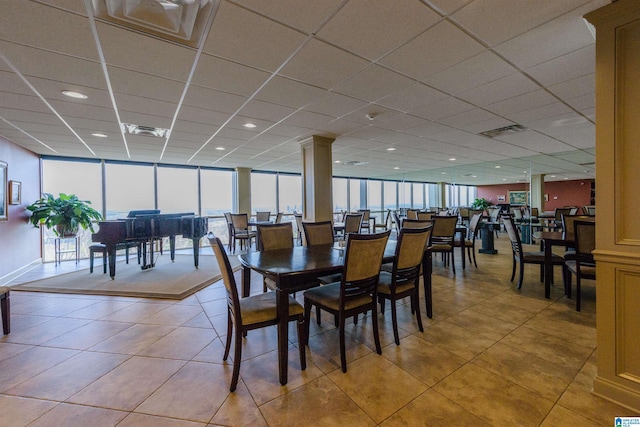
321, 401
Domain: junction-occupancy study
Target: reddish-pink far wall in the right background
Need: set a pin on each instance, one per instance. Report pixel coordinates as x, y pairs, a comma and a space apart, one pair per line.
561, 193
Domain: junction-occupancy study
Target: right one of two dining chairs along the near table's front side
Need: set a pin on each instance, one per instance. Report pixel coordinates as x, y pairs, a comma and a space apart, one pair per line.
403, 280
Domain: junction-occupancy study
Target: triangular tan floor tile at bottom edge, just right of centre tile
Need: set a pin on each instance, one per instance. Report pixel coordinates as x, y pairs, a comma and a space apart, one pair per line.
433, 409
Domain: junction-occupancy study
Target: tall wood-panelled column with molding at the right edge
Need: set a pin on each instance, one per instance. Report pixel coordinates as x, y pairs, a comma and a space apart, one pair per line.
617, 176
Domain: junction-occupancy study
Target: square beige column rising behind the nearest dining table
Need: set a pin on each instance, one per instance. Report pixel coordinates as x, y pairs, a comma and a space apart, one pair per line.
317, 179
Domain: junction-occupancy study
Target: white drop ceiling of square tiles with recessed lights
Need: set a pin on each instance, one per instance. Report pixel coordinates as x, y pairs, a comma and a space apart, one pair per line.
422, 77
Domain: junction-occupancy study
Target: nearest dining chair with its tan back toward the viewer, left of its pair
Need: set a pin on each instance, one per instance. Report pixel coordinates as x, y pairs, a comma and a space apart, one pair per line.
357, 290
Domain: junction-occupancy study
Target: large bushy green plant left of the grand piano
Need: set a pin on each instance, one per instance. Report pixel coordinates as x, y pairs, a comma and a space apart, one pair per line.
64, 214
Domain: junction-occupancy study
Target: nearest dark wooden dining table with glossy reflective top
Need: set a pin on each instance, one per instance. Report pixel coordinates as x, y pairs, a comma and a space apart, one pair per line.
296, 269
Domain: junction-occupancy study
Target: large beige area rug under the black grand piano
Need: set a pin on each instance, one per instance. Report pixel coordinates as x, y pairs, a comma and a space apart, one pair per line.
172, 280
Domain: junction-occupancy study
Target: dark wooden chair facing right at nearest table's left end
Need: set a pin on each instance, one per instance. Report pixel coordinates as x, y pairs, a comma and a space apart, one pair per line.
249, 313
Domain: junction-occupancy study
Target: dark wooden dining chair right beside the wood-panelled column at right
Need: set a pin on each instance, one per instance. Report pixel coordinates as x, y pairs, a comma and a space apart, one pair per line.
583, 266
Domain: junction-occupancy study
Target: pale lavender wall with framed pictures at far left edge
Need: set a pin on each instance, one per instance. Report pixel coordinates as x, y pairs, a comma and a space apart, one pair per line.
19, 241
